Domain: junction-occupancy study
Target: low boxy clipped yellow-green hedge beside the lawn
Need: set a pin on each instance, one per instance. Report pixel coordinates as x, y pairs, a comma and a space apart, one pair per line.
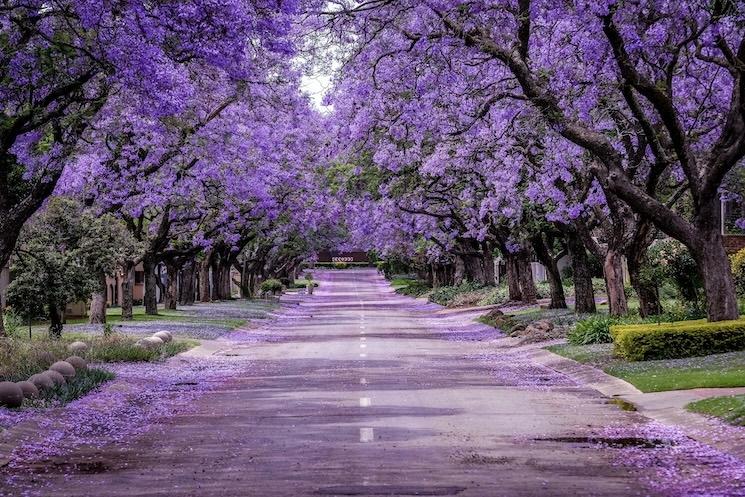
644, 342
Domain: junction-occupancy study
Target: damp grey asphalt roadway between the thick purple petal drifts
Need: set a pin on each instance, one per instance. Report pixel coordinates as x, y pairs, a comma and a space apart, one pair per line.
357, 391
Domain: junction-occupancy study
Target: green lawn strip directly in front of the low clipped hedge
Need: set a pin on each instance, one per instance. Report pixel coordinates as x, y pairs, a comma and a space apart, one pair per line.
718, 370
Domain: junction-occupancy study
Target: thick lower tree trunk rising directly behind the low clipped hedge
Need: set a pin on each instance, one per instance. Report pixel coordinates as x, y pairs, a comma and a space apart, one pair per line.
714, 266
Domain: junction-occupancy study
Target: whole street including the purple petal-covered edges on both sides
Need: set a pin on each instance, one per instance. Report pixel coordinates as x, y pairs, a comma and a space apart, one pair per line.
357, 391
